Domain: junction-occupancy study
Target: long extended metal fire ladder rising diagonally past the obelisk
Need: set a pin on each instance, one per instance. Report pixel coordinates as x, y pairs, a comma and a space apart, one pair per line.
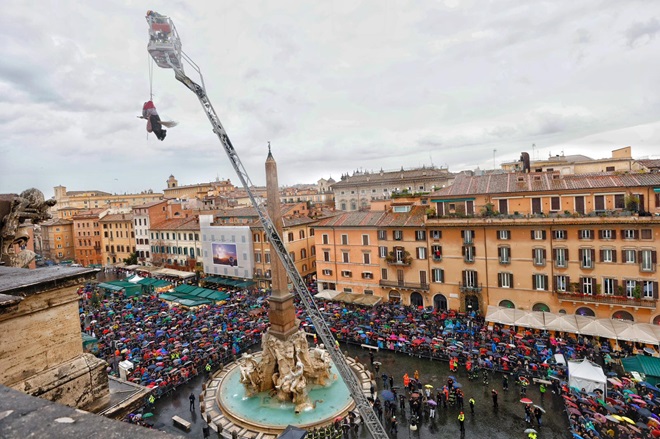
363, 405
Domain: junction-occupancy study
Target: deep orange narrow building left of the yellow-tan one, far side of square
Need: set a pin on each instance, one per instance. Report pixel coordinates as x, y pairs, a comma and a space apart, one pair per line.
87, 237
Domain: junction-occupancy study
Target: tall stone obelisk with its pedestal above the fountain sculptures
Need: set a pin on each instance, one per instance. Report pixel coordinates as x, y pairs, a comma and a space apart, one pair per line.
282, 313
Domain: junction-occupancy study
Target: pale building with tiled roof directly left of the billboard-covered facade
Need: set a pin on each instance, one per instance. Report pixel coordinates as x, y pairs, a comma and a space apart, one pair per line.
175, 243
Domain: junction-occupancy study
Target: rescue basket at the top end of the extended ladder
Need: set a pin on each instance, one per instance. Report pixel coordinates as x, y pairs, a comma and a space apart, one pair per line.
164, 43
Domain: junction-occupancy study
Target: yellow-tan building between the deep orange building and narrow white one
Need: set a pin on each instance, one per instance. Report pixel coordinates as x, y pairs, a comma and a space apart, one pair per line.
117, 237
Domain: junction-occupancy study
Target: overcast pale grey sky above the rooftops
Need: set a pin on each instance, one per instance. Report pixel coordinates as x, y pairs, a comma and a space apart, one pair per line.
334, 86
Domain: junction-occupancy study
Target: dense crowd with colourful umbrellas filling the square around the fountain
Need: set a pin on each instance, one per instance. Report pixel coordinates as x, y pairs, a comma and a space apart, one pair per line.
168, 345
